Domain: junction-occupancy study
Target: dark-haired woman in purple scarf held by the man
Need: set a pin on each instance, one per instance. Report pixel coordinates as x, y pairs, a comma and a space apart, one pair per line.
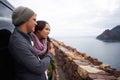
42, 44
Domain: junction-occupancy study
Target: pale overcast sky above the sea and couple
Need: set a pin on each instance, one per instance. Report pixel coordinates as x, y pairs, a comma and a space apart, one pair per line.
69, 18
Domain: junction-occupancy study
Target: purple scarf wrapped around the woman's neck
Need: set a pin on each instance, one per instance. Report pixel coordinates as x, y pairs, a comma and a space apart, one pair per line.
40, 46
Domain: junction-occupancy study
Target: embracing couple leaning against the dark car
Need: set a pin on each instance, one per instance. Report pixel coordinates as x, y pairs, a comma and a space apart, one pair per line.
30, 47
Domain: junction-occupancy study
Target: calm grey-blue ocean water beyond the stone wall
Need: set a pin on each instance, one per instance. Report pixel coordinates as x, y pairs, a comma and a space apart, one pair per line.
107, 52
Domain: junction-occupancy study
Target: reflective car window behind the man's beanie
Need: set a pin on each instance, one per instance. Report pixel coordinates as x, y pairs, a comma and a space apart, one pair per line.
5, 17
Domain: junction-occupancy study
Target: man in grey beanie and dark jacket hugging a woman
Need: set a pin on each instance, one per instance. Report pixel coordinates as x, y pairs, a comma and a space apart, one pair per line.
28, 66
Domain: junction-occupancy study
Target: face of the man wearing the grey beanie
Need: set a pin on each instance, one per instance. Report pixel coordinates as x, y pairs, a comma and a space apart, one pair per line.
31, 23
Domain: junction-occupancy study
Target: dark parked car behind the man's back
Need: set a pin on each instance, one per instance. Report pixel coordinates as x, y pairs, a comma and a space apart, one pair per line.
6, 28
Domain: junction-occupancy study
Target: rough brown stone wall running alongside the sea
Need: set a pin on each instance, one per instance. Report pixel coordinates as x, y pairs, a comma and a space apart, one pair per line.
79, 66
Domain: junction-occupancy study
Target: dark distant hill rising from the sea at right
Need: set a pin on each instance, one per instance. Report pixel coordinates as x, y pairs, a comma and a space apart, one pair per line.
110, 35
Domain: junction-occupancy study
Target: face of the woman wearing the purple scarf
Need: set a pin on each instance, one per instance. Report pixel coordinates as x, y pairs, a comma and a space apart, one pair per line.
45, 32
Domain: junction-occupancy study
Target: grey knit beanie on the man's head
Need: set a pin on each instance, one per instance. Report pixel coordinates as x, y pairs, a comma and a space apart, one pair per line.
21, 15
